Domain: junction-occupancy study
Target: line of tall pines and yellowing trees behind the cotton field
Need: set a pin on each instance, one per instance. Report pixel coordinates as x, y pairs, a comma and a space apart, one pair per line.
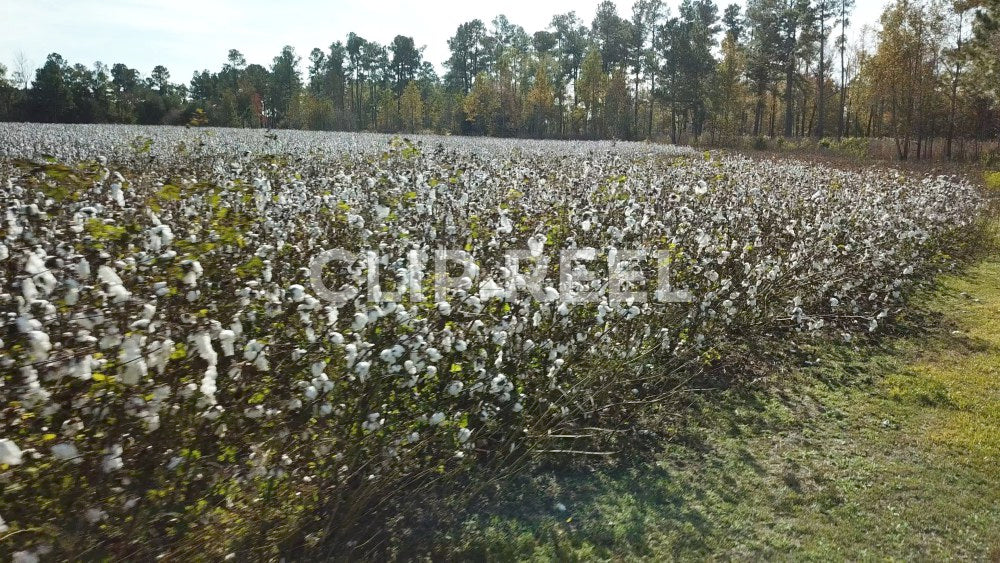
778, 69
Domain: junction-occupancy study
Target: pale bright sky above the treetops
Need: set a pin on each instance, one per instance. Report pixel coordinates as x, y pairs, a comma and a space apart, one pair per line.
192, 35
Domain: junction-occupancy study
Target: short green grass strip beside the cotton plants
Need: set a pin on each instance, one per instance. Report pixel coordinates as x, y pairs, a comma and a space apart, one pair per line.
862, 453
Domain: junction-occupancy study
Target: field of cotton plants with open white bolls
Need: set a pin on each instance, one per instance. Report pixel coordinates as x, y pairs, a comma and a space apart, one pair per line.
216, 335
